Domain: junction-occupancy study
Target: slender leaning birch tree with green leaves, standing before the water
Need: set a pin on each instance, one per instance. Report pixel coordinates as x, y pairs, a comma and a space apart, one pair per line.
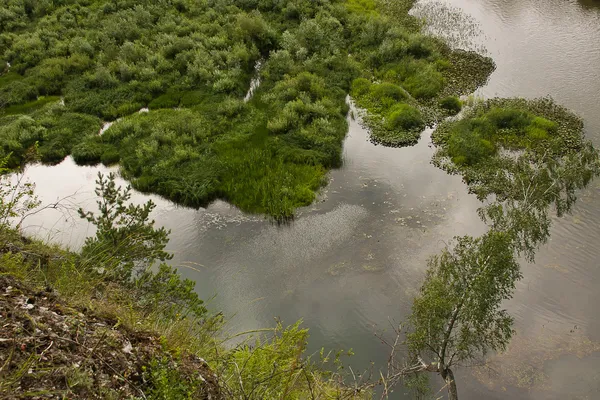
457, 316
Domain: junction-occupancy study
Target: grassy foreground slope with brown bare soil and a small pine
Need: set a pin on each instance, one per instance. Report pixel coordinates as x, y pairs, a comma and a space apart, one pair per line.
115, 321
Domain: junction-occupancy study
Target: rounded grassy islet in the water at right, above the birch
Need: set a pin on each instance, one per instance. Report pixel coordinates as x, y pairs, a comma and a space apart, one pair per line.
526, 139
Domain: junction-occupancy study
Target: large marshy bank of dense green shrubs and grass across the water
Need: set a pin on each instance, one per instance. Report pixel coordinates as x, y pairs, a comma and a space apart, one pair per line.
73, 65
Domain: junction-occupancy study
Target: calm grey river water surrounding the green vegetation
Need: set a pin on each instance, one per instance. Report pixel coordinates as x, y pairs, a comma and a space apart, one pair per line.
351, 263
